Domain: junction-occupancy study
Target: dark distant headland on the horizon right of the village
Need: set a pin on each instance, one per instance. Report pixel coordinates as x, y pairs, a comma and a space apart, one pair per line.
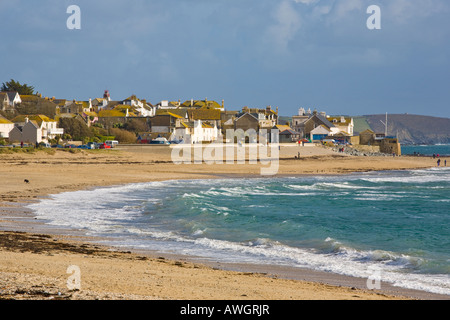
410, 129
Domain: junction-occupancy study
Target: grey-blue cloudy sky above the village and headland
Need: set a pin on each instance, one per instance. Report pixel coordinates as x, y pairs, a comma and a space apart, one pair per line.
317, 54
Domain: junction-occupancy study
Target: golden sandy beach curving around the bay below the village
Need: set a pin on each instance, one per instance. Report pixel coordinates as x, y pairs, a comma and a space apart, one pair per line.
34, 258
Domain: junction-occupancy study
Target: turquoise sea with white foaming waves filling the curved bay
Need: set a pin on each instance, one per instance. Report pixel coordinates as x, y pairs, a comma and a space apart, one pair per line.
394, 224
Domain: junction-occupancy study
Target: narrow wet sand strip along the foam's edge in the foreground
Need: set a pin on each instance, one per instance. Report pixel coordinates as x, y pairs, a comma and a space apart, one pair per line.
28, 225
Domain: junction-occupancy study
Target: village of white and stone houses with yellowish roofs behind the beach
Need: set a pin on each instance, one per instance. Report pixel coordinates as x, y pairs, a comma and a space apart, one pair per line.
137, 121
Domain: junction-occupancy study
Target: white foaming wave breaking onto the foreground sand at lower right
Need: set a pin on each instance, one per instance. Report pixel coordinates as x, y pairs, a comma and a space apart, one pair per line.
341, 260
